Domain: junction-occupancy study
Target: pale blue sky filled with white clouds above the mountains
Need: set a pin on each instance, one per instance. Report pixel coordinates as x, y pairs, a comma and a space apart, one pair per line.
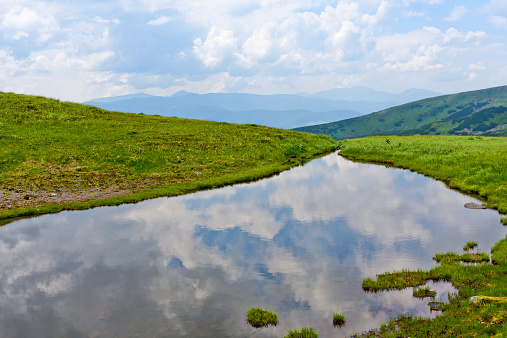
79, 50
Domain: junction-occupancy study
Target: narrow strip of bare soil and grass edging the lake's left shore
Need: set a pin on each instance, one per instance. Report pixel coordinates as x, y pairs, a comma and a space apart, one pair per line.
29, 202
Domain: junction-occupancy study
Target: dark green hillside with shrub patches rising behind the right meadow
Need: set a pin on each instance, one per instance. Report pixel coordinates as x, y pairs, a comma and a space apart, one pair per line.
481, 112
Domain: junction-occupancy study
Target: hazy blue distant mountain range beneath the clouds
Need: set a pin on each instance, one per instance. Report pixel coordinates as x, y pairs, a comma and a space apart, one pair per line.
280, 110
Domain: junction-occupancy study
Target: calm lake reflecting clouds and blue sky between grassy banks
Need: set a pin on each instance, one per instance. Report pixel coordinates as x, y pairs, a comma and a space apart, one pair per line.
299, 243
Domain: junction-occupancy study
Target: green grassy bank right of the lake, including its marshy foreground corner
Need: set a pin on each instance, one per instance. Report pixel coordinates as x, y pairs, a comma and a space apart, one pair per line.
472, 164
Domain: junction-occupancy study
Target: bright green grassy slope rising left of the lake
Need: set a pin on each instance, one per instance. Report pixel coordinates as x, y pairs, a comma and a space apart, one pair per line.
48, 145
